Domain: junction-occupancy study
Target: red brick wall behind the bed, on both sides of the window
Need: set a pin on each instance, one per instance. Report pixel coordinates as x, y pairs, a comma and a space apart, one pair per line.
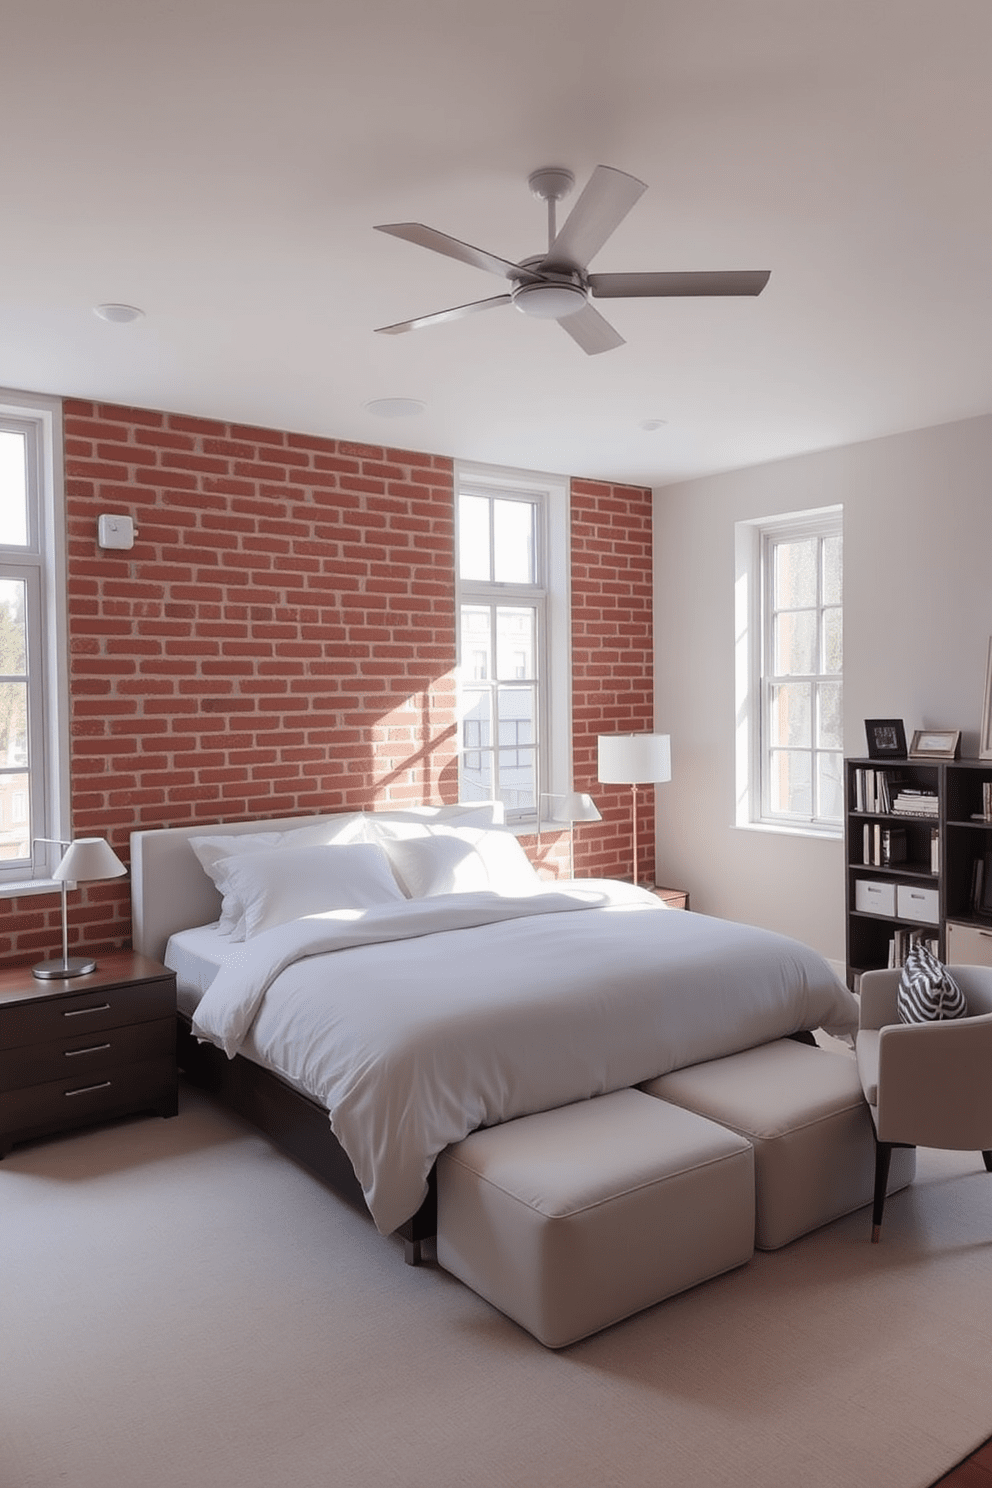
282, 639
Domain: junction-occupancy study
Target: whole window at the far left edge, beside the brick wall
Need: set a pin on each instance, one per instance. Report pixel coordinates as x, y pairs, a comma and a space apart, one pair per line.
33, 691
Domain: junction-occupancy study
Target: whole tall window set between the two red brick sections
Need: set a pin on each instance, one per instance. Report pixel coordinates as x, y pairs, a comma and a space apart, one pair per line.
514, 670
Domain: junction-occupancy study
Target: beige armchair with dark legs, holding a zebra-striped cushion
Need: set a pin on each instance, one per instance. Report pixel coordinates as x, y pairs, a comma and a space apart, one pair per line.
927, 1085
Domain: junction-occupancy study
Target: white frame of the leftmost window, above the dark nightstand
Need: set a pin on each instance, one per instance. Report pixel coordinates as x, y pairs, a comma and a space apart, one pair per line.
42, 565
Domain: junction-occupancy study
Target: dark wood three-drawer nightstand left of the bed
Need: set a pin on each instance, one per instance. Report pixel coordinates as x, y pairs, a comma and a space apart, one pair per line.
86, 1048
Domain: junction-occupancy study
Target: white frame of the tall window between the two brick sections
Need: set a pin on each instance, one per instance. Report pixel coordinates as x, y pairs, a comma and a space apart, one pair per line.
551, 594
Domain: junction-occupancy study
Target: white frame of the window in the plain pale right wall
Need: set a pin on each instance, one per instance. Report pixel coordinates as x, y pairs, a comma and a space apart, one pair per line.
753, 650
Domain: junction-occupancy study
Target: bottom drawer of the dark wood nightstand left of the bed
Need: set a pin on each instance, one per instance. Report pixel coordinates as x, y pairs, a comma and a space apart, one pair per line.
81, 1099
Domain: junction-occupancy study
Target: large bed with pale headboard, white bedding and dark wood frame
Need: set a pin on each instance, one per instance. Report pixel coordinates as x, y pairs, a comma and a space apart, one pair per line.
368, 989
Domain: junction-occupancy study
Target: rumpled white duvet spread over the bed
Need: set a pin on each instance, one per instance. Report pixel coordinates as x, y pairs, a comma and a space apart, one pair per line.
417, 1023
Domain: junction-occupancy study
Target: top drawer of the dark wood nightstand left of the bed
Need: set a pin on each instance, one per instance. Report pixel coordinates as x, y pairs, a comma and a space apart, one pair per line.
54, 1019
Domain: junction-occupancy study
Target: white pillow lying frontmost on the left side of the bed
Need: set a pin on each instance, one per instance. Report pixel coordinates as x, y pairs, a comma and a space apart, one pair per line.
297, 882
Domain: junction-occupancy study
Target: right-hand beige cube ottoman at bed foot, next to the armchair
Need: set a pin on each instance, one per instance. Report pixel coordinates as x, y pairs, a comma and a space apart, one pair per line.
804, 1111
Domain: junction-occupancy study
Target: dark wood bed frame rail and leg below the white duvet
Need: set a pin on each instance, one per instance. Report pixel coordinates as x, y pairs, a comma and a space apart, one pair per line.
294, 1123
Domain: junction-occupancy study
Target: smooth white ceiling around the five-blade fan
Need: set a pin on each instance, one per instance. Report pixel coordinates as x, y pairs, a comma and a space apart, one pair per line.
221, 164
